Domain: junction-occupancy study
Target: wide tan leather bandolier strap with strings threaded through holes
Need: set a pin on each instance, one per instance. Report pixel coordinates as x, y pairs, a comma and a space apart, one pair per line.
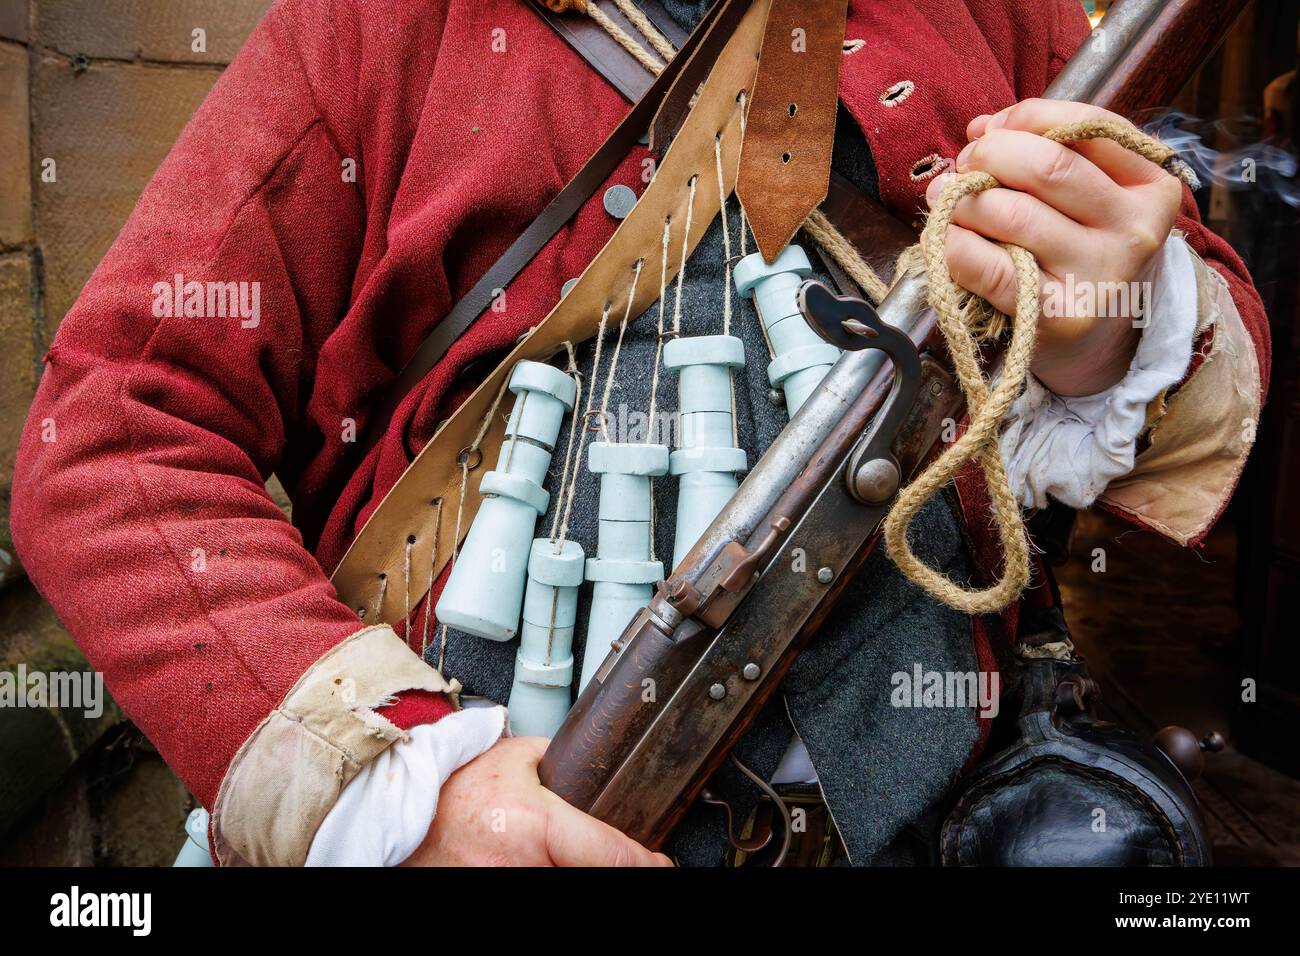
431, 487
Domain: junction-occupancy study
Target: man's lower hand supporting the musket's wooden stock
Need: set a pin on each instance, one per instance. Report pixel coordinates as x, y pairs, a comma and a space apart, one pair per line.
495, 812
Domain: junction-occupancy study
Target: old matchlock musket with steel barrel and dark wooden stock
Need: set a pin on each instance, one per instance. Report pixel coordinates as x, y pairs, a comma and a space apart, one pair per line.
692, 671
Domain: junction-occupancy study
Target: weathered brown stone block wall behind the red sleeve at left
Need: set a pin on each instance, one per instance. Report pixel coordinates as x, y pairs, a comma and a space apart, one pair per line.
93, 94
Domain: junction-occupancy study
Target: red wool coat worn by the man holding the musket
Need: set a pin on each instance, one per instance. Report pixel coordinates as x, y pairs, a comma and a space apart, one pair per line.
145, 521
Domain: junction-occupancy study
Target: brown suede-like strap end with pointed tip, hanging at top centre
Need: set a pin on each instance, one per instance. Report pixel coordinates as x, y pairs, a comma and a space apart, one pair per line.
790, 135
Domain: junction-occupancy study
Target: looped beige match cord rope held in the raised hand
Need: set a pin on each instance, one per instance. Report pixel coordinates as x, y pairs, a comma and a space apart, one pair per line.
965, 321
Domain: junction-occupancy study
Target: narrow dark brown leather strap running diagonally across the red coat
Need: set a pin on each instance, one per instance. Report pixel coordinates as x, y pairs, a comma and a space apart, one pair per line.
692, 66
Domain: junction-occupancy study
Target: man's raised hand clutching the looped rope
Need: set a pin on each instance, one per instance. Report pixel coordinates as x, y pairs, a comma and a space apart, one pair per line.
1093, 214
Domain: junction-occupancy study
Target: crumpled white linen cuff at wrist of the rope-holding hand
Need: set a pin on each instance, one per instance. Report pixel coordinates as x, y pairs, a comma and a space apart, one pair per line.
1071, 449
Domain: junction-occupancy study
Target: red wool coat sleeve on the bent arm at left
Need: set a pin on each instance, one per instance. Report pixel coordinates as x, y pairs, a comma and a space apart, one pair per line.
140, 507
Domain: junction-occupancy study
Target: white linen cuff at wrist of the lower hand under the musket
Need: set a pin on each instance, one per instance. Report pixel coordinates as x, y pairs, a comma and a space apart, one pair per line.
384, 815
